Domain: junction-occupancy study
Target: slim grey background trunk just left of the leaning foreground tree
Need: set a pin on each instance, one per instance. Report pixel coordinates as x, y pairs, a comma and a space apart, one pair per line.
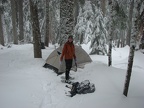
130, 23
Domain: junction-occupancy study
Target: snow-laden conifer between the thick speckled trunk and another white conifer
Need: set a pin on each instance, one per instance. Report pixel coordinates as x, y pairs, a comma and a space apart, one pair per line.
84, 24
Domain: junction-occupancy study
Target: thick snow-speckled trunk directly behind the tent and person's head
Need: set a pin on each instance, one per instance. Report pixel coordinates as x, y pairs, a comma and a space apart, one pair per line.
66, 19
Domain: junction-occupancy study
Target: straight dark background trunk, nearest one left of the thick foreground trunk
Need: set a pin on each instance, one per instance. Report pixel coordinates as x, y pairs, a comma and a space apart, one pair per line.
21, 29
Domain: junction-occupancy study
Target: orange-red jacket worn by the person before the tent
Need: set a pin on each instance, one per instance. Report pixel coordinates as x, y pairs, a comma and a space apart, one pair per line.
68, 51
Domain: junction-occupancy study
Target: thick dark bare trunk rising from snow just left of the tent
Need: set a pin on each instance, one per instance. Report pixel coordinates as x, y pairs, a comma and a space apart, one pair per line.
36, 30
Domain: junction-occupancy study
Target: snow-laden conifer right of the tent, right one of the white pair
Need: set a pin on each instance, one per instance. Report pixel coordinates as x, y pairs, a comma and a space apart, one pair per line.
99, 35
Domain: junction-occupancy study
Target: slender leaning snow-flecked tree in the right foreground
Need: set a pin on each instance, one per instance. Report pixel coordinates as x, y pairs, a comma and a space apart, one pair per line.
135, 32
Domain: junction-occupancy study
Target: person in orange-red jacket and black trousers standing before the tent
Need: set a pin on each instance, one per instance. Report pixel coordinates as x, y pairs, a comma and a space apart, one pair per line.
68, 53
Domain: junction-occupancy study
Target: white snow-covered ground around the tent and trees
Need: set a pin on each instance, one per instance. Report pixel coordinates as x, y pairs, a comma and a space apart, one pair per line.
24, 83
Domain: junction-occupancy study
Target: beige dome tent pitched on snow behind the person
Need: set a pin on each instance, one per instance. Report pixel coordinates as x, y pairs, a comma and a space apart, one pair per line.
53, 60
